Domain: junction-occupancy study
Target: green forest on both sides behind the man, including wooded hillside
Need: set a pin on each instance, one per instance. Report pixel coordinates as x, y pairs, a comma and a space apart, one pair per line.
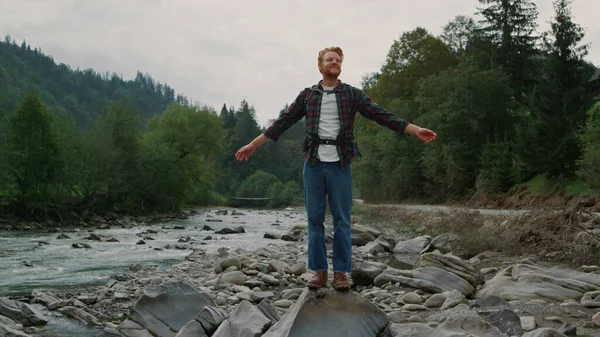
513, 105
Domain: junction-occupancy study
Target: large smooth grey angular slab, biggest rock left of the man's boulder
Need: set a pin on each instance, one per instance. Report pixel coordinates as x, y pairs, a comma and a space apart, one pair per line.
165, 309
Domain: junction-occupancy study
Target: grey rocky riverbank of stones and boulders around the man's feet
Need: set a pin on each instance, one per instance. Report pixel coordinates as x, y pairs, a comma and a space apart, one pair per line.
238, 292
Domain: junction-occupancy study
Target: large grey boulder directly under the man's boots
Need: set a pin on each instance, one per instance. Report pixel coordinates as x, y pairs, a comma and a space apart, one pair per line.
331, 313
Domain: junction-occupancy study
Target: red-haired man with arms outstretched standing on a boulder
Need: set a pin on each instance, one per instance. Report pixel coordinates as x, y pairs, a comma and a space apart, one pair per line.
329, 108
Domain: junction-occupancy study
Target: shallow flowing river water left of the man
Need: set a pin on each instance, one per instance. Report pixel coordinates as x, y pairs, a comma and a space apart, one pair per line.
39, 260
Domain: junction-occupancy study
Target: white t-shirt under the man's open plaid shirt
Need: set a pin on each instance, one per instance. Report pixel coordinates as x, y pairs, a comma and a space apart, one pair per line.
329, 125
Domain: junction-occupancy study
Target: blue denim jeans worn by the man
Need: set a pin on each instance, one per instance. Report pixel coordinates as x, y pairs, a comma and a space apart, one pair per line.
331, 180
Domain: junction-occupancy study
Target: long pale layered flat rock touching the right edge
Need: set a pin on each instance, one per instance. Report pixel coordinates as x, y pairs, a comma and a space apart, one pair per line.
525, 282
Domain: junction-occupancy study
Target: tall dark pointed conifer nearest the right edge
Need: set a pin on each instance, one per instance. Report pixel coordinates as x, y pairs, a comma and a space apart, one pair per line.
550, 140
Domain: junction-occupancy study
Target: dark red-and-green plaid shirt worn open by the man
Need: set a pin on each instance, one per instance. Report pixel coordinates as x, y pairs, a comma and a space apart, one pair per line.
349, 100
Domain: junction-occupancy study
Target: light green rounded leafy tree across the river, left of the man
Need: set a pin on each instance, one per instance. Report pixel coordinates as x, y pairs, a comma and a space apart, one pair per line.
179, 157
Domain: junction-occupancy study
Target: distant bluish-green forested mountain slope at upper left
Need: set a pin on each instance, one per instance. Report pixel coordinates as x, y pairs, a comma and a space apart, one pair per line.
81, 93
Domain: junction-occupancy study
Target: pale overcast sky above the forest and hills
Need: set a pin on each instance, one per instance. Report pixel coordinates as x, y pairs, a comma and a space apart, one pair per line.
224, 51
